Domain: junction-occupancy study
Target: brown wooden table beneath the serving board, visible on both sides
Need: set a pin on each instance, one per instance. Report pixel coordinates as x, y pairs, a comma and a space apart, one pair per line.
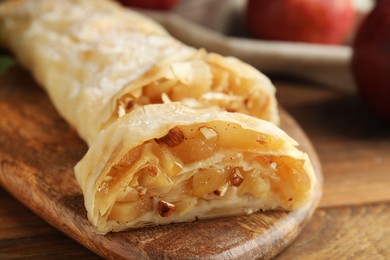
354, 217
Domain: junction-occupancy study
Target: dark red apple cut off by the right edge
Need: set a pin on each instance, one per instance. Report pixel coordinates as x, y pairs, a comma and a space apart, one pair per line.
371, 59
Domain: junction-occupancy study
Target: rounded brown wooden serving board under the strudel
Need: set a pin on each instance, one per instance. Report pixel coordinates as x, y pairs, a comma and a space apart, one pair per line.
38, 150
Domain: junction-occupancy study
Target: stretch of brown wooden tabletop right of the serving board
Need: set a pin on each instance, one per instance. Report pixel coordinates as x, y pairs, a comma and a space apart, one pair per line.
354, 149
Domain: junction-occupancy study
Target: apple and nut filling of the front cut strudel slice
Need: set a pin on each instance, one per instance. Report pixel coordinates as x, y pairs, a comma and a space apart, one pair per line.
202, 167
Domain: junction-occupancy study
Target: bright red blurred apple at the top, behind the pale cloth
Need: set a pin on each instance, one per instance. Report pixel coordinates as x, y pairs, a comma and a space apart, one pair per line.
314, 21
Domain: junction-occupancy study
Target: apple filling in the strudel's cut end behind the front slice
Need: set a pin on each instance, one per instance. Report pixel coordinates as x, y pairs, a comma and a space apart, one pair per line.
200, 84
